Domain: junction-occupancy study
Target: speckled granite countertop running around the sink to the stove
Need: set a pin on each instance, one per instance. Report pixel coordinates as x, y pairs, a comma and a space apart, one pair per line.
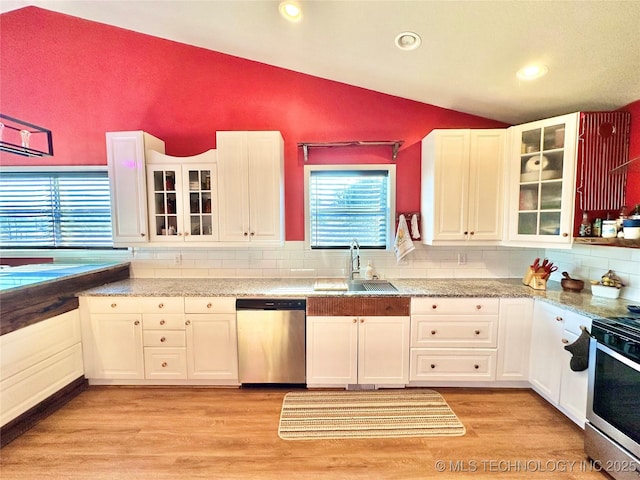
583, 303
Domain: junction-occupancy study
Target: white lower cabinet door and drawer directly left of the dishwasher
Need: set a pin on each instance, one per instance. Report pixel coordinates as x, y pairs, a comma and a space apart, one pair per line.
212, 340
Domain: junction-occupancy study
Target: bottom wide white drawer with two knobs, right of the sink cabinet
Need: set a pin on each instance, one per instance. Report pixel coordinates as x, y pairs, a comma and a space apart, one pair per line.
452, 364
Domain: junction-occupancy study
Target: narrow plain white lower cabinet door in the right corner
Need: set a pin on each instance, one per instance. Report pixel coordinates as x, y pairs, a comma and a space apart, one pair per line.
514, 339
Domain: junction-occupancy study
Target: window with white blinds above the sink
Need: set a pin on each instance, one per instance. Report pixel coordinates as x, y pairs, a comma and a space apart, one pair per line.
344, 202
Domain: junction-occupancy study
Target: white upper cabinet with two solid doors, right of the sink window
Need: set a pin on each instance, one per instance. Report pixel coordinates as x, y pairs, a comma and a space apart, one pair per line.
462, 186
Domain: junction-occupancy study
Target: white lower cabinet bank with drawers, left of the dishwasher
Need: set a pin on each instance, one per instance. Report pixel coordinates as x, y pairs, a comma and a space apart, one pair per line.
160, 340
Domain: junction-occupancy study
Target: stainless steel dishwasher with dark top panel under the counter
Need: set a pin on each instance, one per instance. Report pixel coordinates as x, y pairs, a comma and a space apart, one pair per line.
271, 341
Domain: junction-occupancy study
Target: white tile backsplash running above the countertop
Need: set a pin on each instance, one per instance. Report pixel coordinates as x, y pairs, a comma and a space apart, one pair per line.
294, 260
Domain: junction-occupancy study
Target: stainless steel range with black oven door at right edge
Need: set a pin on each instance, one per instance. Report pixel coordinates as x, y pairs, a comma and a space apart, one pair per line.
612, 431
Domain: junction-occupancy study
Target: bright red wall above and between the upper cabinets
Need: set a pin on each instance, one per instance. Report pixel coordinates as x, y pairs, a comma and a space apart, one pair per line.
81, 79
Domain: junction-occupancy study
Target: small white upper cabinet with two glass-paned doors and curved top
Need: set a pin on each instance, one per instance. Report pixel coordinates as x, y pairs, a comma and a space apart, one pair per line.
183, 197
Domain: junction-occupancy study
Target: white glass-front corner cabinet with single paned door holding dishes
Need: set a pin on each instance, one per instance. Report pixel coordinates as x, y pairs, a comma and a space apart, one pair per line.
541, 167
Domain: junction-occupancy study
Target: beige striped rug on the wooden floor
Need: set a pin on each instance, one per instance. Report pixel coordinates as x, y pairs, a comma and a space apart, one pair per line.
366, 414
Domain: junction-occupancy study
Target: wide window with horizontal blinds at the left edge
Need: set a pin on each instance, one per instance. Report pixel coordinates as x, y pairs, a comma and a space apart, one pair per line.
55, 209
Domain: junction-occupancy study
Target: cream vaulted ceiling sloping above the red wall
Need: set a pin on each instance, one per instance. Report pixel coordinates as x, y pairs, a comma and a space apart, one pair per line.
467, 61
